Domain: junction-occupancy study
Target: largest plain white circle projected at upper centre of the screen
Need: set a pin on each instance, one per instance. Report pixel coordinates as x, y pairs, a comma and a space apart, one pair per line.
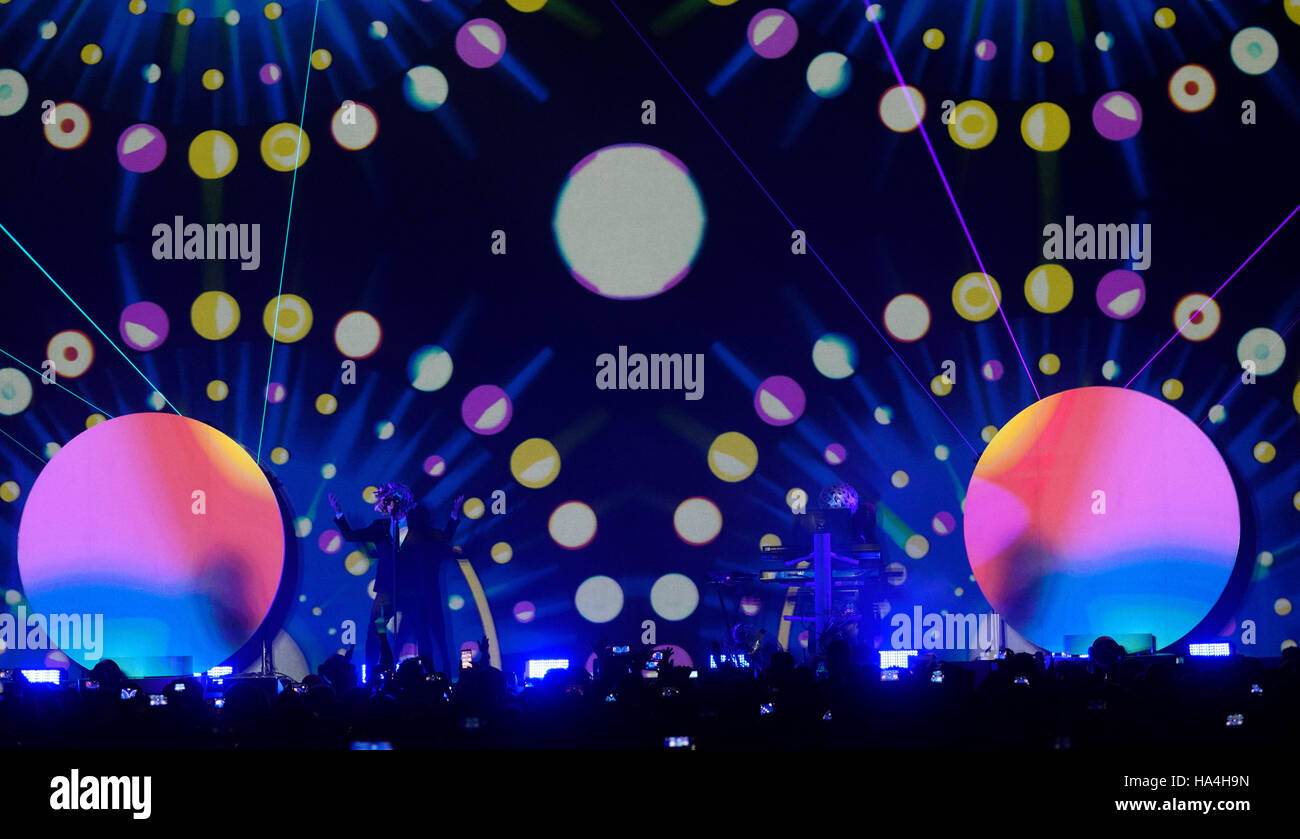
629, 222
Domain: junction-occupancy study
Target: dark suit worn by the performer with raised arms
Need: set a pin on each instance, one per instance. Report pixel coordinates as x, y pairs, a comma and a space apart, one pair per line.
408, 582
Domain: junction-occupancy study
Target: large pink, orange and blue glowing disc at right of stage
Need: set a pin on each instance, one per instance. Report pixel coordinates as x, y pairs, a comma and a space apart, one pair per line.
1102, 512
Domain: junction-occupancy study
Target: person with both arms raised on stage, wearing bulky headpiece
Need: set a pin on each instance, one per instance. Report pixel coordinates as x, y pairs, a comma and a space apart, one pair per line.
406, 582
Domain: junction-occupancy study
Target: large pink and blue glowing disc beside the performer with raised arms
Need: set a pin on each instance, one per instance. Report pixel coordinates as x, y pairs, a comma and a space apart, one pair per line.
164, 526
